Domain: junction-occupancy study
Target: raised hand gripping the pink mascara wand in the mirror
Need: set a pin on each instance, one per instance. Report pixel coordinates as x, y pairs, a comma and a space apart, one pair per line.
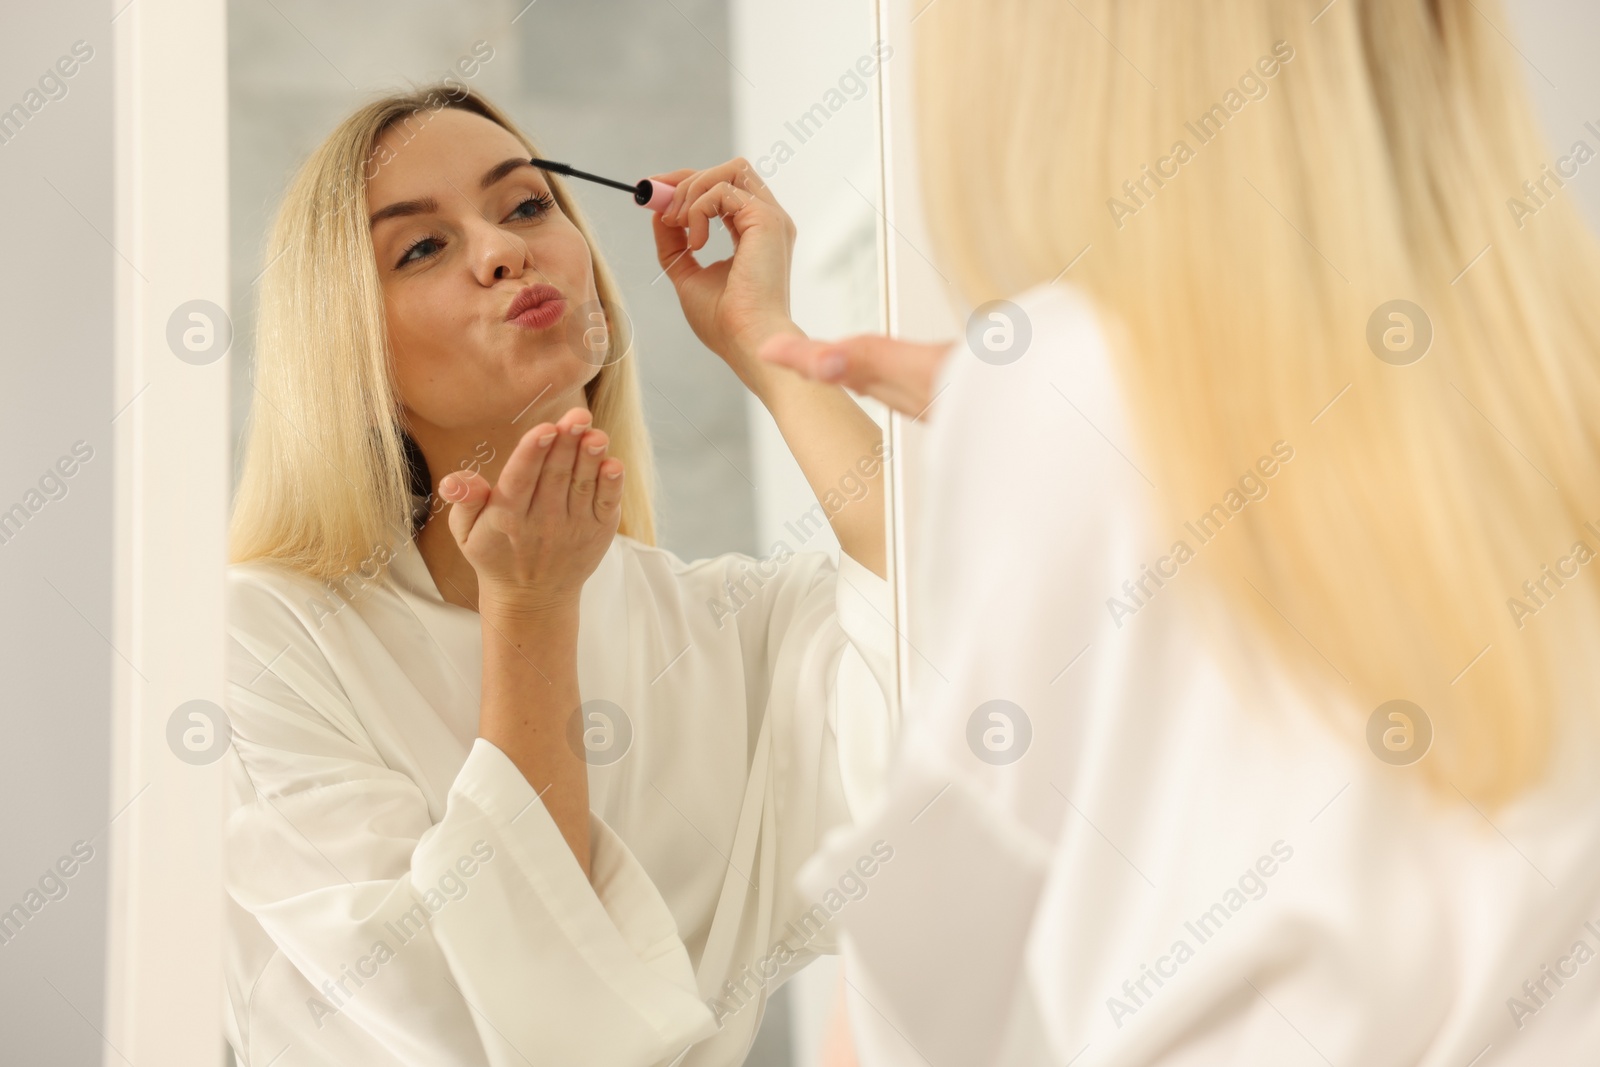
737, 303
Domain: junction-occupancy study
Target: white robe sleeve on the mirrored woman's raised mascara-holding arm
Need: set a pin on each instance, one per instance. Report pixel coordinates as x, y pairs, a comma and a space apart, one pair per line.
820, 663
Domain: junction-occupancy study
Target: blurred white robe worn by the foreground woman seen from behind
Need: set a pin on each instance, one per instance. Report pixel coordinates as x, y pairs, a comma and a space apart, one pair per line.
1158, 797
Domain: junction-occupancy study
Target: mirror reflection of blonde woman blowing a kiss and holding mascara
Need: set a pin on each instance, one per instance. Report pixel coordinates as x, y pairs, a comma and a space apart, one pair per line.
511, 783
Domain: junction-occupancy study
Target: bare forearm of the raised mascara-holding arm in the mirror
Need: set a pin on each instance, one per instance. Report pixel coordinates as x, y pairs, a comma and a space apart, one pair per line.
836, 446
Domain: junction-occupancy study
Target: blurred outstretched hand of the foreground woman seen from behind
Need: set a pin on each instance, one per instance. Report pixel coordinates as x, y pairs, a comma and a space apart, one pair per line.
900, 374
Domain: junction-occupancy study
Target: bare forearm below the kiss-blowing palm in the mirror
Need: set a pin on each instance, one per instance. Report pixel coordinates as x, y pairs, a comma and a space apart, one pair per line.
530, 695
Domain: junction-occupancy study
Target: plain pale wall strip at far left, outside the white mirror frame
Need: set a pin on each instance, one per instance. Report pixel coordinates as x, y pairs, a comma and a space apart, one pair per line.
55, 572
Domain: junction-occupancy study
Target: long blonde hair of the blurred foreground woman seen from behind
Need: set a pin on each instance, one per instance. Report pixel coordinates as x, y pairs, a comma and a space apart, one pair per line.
1377, 164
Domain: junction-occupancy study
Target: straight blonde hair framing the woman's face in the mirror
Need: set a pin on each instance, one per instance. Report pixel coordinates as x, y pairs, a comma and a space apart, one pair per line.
327, 482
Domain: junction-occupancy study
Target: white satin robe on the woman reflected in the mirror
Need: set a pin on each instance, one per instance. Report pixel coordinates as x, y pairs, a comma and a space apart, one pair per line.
361, 793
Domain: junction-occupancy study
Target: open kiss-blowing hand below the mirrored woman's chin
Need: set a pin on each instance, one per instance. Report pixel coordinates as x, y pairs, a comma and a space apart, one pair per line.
542, 530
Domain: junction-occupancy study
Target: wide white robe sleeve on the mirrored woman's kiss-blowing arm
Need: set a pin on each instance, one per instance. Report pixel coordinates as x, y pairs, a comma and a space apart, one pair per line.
474, 940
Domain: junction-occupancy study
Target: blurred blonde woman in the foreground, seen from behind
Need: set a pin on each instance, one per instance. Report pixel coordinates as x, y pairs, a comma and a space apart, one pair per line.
1255, 714
